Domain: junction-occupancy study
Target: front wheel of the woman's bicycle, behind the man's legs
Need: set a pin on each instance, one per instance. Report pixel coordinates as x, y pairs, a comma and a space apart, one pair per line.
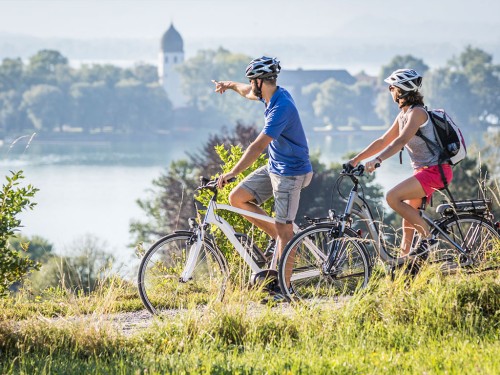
301, 273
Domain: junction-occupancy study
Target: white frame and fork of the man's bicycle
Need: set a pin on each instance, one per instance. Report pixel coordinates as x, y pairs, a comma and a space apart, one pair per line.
211, 218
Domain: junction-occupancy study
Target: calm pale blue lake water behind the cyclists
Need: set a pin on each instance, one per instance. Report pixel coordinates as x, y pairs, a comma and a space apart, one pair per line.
92, 189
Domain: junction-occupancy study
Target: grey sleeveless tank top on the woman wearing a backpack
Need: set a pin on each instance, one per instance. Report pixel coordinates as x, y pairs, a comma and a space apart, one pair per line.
419, 152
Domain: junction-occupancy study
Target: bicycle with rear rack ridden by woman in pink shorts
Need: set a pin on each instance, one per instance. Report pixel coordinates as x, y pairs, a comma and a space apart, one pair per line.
467, 237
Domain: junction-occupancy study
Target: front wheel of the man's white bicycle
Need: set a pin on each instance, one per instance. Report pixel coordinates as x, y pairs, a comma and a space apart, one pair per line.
159, 279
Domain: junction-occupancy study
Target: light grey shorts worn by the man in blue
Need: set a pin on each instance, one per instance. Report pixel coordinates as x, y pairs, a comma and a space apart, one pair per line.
285, 189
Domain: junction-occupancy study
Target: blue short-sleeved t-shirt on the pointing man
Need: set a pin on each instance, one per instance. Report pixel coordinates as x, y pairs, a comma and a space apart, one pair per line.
288, 151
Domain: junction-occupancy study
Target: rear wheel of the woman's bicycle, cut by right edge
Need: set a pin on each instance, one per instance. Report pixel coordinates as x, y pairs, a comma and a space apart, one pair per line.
477, 235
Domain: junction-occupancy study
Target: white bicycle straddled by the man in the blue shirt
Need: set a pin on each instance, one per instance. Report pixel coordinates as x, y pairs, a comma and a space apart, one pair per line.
187, 266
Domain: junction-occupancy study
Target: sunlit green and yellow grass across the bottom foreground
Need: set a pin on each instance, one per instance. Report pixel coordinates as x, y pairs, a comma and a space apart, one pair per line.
433, 324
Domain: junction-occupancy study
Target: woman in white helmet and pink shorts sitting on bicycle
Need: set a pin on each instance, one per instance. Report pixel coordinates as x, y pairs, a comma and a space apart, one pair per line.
406, 197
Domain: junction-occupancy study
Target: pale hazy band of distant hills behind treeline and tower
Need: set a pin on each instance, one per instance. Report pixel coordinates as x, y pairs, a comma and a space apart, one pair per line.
307, 53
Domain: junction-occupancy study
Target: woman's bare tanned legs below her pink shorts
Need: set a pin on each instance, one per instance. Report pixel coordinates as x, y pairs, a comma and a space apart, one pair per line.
405, 198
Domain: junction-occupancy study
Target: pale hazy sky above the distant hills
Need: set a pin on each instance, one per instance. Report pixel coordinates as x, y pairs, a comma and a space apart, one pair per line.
454, 21
